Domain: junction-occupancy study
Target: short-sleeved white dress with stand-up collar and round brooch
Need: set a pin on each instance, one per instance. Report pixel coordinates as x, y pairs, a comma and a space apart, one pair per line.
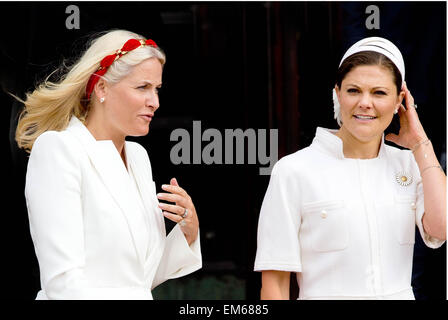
346, 226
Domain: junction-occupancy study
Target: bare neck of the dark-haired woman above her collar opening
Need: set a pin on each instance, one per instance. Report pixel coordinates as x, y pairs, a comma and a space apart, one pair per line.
357, 149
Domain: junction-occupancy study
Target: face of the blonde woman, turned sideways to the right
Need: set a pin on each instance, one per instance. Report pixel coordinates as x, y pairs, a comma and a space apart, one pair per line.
132, 101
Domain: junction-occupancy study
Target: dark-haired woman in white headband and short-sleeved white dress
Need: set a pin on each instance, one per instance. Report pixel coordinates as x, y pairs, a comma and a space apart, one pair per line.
342, 212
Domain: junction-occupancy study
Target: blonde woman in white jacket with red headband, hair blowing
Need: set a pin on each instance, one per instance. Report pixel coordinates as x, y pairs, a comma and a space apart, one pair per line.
95, 219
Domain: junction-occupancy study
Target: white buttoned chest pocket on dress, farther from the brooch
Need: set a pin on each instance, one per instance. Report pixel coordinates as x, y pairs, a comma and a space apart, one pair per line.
328, 225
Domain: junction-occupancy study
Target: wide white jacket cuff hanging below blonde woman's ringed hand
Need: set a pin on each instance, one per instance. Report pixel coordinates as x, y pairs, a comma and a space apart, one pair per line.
179, 259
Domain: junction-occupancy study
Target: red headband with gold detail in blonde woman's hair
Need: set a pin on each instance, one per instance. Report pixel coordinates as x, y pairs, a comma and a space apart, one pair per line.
130, 45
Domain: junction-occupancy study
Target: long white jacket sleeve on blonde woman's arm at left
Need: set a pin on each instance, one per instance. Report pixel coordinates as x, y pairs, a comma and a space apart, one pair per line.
53, 195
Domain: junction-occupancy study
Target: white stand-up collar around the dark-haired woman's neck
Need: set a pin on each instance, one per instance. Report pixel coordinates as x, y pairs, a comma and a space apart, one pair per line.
331, 144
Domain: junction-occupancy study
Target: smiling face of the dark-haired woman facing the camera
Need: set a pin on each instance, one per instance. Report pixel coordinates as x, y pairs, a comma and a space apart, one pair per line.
368, 99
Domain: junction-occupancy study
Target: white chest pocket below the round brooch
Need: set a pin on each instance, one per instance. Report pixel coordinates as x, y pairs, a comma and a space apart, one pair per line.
403, 219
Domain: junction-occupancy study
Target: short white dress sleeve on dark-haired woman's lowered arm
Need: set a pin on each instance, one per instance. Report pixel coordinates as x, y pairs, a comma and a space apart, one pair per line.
278, 246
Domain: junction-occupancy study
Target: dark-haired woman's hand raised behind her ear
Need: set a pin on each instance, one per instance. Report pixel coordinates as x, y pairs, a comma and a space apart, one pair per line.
411, 130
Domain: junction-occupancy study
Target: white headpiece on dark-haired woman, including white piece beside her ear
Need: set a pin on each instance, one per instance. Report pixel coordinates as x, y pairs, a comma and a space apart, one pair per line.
376, 44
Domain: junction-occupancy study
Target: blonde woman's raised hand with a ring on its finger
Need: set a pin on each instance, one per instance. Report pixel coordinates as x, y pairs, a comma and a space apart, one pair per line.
183, 207
